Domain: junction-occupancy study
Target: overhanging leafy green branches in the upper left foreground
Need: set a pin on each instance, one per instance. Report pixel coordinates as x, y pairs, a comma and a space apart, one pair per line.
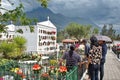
17, 15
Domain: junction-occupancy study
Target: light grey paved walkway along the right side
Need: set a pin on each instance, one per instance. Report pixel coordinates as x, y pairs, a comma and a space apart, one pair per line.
112, 67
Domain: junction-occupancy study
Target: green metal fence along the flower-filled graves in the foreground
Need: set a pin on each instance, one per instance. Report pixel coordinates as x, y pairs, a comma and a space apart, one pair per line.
6, 73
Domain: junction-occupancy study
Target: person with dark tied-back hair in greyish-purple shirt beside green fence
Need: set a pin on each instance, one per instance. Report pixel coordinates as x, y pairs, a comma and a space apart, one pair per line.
72, 58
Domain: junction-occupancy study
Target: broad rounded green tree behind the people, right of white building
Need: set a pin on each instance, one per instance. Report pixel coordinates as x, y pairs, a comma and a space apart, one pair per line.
78, 31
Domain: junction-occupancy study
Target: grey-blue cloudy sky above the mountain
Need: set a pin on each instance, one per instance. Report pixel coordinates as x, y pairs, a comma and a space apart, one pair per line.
101, 11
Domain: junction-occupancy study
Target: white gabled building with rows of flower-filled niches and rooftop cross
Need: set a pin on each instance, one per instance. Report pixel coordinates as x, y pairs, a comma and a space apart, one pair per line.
42, 40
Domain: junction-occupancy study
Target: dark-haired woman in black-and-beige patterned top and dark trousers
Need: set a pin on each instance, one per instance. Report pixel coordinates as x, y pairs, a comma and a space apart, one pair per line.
95, 56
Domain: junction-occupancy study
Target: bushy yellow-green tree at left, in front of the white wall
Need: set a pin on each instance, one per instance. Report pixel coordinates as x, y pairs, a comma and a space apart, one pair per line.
13, 49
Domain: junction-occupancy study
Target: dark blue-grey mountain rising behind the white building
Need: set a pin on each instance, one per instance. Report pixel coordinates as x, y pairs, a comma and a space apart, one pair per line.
59, 20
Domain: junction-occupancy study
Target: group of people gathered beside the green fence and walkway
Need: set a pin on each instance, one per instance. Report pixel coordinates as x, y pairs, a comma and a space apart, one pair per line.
93, 55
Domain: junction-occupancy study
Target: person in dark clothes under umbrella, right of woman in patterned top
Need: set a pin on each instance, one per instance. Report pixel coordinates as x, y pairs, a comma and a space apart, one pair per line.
104, 52
